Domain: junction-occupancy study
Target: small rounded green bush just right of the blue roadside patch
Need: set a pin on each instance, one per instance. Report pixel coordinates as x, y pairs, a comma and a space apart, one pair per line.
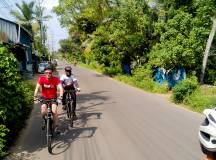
184, 89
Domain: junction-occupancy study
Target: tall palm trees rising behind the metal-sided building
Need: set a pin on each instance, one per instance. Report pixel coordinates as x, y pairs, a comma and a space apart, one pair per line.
31, 16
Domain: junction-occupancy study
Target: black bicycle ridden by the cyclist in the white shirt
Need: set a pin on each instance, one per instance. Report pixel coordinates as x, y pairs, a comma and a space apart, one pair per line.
69, 105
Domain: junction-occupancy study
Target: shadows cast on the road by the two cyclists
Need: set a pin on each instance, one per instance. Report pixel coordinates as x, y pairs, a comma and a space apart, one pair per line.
85, 113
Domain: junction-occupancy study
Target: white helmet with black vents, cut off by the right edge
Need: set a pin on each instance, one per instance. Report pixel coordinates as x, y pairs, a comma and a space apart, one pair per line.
207, 131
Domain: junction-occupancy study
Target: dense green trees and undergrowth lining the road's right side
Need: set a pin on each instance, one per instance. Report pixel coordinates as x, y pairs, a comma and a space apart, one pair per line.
145, 34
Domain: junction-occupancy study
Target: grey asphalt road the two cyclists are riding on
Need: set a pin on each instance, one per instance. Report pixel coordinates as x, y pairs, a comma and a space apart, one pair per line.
116, 122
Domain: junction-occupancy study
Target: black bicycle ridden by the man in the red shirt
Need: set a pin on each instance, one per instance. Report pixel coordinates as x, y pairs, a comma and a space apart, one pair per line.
48, 120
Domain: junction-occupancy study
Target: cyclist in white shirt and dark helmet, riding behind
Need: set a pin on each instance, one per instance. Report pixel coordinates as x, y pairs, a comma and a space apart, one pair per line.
69, 82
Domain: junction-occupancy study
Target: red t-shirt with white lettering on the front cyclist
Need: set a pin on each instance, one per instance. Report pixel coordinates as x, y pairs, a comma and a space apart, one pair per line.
49, 86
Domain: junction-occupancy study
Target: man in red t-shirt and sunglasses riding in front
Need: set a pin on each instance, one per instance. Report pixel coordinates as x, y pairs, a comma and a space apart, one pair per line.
48, 85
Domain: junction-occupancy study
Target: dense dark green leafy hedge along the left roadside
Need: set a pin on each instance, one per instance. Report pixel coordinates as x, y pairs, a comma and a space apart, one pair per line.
15, 97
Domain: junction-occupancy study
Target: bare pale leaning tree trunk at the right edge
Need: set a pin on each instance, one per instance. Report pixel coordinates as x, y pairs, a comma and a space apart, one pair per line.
206, 53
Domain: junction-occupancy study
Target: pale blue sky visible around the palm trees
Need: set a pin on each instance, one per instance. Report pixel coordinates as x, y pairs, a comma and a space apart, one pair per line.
55, 31
